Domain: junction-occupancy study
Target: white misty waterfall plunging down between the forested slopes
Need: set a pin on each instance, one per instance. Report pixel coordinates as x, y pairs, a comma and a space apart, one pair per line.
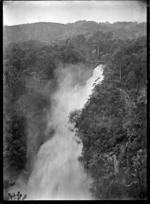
57, 174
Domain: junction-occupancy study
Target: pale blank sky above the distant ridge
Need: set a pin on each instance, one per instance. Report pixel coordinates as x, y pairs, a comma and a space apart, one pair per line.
22, 12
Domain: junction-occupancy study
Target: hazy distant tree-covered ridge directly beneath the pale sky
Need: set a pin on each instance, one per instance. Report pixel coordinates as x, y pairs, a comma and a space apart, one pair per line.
49, 32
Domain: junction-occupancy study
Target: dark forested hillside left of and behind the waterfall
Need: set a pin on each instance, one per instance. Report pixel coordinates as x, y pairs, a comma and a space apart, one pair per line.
30, 80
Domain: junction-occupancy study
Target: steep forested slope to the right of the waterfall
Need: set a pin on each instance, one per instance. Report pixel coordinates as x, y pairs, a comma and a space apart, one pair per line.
112, 126
